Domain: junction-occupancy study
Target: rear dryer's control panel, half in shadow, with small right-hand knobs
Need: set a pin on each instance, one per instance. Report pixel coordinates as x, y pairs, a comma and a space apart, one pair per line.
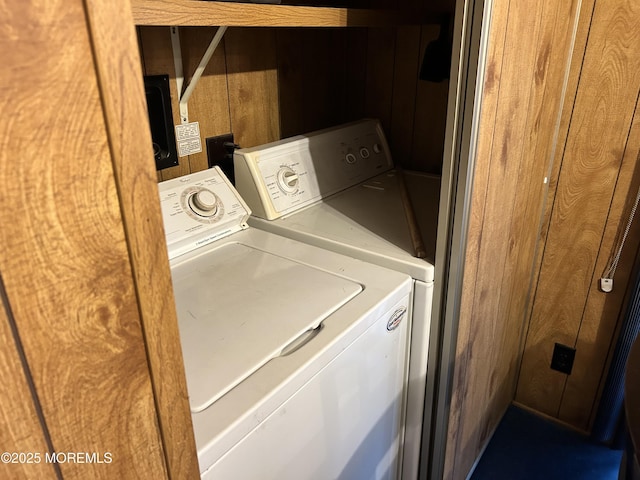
281, 177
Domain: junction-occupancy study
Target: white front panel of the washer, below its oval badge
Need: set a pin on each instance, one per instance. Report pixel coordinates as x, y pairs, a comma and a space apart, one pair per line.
345, 423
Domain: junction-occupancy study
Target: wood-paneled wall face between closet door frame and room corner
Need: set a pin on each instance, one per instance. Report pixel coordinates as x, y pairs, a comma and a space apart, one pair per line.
529, 47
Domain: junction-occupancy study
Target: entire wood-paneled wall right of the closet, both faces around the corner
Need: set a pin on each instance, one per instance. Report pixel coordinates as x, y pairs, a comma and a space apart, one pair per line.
556, 175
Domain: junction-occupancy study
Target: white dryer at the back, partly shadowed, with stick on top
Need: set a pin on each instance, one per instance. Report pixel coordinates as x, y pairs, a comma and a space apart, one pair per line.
337, 189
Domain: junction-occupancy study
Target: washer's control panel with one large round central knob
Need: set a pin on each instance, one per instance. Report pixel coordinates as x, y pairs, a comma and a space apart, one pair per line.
199, 209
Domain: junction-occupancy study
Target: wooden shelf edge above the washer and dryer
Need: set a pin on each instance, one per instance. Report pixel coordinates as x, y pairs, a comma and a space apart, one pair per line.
205, 13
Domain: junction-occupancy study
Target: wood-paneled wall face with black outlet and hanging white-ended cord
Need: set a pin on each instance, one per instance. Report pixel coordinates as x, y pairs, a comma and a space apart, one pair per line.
597, 184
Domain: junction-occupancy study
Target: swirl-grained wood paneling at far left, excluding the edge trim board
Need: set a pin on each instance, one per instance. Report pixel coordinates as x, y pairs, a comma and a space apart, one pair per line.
68, 289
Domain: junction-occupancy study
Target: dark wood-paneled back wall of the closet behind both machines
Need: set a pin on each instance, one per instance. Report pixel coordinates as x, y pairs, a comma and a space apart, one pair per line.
264, 84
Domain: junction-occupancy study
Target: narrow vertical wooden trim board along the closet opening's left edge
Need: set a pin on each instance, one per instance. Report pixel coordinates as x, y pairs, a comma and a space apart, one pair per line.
122, 90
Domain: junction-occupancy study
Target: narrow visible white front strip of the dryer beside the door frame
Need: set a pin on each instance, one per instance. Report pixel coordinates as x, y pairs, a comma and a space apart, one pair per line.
418, 364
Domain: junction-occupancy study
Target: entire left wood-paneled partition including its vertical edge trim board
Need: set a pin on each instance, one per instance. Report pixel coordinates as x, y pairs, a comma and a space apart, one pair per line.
88, 319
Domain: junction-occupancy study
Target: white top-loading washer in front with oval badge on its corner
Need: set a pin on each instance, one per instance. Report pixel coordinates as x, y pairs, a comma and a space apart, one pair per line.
296, 357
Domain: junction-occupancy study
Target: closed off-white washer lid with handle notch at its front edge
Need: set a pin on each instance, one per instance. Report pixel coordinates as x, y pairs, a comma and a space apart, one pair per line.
239, 307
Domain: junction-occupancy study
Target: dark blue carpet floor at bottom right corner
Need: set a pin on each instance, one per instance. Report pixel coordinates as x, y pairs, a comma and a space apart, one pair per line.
527, 447
